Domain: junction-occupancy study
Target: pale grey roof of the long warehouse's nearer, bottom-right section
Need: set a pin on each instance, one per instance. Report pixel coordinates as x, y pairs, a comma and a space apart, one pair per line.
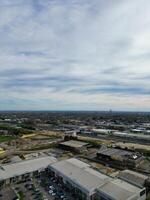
119, 190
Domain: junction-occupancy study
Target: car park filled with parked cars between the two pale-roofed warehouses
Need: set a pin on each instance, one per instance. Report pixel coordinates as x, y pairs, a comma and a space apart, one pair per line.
43, 187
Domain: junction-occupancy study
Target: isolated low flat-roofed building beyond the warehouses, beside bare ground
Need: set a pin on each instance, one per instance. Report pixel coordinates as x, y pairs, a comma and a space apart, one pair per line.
74, 145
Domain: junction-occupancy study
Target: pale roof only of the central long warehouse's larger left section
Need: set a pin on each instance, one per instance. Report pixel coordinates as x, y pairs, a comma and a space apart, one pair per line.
80, 173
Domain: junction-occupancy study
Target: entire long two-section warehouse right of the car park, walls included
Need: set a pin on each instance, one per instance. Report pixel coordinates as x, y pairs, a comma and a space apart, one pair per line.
89, 184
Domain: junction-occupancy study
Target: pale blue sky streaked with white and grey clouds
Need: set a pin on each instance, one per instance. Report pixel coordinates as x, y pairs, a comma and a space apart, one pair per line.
75, 55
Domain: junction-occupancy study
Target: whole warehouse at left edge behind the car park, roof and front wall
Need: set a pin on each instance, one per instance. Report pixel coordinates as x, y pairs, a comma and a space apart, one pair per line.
22, 170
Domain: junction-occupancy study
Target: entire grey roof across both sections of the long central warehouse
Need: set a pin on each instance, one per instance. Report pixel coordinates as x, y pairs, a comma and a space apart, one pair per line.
90, 180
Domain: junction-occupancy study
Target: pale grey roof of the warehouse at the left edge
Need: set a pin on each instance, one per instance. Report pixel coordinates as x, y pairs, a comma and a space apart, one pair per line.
23, 167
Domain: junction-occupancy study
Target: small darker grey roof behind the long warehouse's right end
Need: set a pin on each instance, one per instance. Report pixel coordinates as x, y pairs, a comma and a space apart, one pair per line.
133, 177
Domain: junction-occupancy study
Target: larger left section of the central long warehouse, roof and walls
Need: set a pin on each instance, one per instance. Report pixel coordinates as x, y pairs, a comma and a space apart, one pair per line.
79, 177
